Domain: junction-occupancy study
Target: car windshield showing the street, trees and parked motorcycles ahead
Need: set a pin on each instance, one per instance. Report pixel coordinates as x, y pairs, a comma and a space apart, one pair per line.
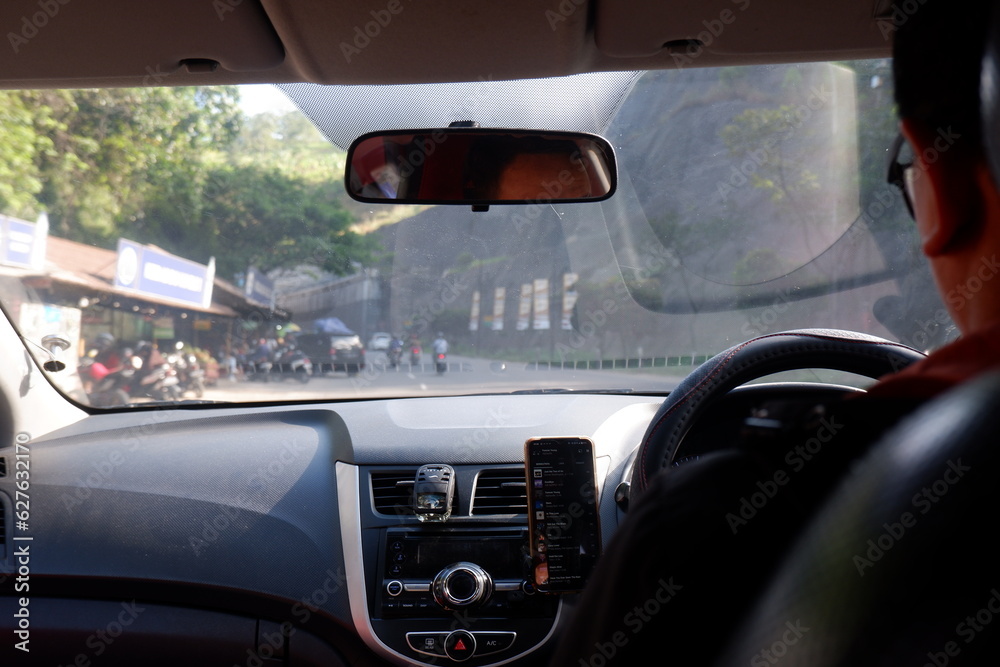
198, 244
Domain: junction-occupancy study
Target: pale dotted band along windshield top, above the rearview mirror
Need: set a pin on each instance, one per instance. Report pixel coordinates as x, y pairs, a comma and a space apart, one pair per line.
583, 102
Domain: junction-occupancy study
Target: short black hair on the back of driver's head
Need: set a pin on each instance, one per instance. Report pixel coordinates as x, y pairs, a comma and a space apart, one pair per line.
938, 48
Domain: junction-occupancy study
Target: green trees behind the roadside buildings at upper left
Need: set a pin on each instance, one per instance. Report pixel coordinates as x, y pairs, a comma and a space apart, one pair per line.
181, 168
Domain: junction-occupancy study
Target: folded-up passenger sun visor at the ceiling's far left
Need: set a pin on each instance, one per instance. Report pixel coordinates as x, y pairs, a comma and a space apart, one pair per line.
148, 40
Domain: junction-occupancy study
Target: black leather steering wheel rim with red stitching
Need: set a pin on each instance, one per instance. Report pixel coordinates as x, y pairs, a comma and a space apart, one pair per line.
772, 353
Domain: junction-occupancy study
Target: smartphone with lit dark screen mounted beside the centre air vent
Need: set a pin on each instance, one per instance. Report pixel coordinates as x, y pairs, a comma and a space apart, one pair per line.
565, 533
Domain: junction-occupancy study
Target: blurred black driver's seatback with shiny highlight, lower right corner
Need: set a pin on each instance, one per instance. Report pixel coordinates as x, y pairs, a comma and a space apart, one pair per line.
896, 567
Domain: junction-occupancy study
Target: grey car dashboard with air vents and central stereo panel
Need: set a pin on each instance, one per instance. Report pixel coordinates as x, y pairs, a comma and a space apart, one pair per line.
283, 534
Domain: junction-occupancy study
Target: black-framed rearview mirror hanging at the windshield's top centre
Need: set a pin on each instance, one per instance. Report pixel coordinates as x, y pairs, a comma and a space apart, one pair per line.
480, 167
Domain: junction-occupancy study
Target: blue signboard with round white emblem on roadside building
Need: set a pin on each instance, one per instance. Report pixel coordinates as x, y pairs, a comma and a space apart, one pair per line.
154, 272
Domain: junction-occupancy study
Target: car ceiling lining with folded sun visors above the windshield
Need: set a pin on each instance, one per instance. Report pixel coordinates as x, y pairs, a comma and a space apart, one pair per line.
66, 43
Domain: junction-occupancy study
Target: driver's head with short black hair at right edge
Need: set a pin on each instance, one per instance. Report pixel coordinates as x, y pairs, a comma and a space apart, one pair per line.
938, 51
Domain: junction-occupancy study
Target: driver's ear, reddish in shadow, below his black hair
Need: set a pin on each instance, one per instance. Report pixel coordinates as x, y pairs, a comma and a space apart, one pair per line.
946, 191
